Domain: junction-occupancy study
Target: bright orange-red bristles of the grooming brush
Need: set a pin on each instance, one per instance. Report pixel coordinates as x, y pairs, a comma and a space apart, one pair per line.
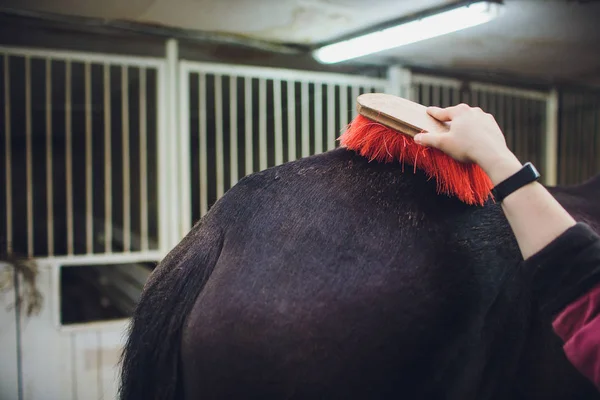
375, 141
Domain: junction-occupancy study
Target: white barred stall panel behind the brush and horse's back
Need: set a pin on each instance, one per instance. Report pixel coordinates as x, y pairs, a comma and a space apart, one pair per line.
302, 95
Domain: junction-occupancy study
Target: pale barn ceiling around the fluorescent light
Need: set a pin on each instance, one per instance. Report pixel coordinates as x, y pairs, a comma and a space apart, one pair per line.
557, 40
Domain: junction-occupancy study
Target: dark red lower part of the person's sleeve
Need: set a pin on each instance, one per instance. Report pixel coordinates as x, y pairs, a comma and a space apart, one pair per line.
578, 325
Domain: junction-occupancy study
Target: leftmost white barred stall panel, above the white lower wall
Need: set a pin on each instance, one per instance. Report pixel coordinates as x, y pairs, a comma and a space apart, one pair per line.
63, 147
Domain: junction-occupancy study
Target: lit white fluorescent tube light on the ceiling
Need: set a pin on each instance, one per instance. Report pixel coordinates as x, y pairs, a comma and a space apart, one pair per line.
414, 31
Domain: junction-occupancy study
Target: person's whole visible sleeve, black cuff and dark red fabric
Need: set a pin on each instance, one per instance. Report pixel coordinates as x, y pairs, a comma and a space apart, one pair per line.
567, 287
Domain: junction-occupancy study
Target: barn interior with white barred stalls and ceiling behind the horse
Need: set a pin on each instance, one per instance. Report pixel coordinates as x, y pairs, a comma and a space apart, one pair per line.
121, 123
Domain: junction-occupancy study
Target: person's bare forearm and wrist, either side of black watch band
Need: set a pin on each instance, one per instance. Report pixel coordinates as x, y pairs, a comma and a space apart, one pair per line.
535, 217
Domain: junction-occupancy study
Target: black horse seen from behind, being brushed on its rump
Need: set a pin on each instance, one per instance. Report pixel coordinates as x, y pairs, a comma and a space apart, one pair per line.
332, 277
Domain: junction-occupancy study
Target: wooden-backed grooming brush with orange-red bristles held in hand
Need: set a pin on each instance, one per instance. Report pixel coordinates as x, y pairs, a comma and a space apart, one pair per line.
384, 130
